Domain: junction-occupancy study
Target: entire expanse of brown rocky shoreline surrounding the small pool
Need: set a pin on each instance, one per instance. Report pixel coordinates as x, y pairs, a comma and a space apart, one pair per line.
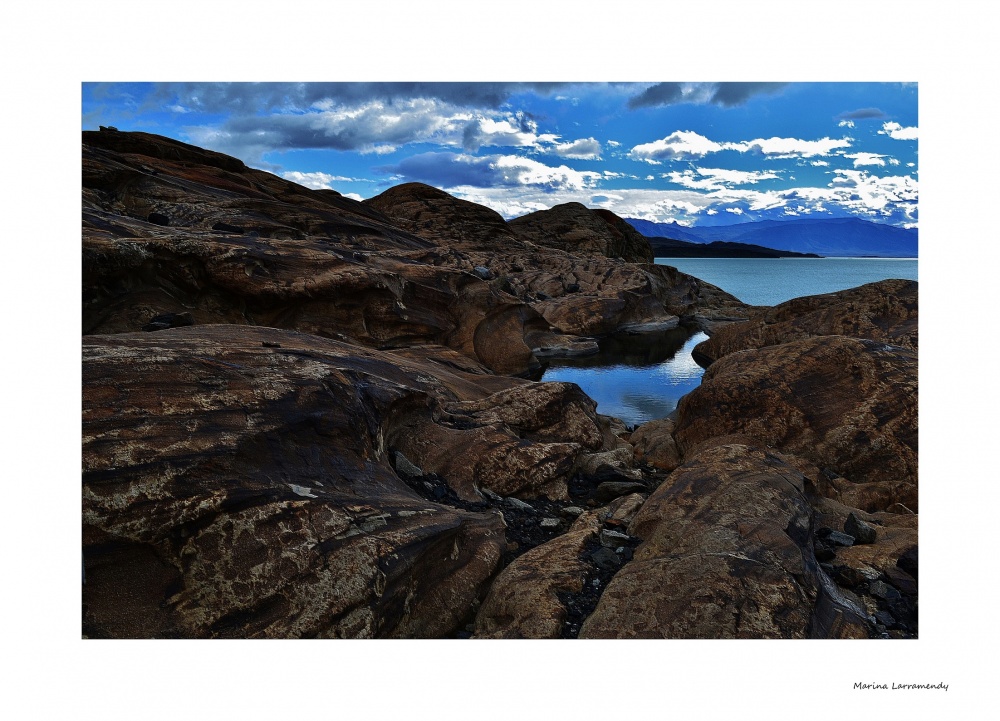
310, 417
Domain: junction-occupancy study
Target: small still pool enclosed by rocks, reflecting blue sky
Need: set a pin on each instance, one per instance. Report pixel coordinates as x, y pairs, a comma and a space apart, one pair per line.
635, 377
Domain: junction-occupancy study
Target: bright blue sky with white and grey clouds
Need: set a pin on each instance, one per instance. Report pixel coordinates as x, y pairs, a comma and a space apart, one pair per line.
694, 153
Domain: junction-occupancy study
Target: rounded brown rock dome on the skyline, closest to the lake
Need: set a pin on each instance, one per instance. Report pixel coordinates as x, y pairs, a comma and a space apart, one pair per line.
576, 229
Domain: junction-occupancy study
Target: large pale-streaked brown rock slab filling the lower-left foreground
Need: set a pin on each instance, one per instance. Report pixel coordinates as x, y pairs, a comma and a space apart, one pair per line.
237, 483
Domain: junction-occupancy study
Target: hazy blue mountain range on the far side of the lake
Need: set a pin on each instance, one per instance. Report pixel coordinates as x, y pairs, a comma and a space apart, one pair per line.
844, 237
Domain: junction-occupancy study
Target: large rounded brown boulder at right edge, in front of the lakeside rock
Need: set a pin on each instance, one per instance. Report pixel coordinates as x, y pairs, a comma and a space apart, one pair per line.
847, 405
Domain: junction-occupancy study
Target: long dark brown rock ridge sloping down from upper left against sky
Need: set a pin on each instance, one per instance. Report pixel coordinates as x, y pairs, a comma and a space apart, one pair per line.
170, 230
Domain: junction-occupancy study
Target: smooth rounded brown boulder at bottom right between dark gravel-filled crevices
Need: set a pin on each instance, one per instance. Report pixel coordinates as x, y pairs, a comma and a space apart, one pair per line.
726, 553
